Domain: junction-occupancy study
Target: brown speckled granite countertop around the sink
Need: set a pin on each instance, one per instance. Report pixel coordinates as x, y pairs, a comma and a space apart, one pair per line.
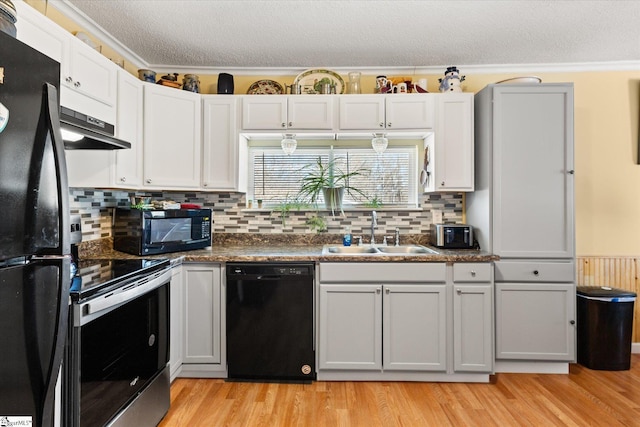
261, 248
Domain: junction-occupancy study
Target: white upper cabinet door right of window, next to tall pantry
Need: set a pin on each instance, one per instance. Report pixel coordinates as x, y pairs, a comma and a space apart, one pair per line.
454, 153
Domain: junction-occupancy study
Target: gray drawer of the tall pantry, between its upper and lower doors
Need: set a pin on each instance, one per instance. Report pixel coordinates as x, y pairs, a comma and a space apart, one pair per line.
535, 271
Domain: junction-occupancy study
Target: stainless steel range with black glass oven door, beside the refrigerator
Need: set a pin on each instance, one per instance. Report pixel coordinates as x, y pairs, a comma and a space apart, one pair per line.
118, 350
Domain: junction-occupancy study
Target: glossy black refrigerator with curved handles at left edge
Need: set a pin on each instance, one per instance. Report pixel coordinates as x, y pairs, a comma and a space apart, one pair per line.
34, 235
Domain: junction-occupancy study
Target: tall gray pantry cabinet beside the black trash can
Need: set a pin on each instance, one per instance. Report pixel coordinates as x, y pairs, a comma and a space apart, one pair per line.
523, 210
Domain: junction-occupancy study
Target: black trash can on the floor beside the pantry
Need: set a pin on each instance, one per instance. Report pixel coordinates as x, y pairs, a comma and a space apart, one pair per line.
605, 321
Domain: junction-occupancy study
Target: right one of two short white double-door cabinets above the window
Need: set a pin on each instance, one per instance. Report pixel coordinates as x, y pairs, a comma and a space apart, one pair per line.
387, 112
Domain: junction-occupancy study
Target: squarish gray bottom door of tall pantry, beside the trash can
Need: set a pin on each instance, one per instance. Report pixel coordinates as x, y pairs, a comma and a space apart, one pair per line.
535, 321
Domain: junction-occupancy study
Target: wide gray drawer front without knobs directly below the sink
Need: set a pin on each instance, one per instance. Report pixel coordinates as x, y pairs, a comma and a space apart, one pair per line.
381, 272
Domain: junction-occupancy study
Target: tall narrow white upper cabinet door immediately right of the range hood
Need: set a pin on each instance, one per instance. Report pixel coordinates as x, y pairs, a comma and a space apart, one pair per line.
129, 128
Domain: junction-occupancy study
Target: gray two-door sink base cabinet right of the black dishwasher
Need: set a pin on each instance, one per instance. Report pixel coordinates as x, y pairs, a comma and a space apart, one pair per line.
371, 319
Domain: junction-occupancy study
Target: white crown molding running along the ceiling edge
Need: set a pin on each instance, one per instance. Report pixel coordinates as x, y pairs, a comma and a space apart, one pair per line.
83, 20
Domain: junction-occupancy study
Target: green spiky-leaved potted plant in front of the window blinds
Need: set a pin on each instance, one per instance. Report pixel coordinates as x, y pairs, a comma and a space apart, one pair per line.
328, 179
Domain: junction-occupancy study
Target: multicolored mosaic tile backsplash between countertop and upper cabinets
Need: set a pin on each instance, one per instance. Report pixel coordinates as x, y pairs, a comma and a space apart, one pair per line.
230, 214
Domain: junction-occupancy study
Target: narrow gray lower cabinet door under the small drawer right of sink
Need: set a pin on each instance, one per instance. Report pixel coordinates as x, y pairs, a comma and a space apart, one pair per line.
472, 328
